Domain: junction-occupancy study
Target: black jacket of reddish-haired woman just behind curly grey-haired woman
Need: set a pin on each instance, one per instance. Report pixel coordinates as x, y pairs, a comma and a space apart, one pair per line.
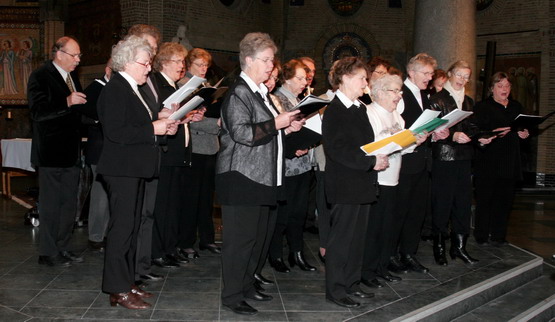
174, 153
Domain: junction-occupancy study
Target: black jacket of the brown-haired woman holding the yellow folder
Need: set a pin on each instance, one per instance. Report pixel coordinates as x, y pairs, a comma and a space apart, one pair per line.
350, 178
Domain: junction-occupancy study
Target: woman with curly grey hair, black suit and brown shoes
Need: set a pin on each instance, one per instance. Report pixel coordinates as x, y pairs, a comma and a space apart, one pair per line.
130, 155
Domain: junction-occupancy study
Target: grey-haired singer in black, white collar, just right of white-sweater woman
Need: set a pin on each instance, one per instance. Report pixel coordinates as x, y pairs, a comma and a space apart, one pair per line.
414, 178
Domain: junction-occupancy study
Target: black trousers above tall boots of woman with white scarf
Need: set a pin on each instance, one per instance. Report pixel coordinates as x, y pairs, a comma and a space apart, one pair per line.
451, 196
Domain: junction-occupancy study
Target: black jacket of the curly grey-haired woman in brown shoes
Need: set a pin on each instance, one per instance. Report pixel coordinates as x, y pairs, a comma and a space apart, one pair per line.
130, 146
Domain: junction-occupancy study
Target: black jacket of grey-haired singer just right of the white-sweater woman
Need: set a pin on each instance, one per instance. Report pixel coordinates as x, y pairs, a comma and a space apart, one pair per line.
420, 160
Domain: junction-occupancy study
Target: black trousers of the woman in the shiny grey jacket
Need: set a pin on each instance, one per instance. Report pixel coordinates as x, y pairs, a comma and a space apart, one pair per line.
245, 230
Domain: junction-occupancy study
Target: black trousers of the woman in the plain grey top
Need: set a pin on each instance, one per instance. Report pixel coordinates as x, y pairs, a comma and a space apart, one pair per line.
199, 198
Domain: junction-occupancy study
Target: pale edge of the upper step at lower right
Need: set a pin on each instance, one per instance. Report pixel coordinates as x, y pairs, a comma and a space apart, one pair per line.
469, 292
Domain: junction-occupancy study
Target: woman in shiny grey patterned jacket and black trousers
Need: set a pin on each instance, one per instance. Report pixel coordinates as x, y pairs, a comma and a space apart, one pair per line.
249, 170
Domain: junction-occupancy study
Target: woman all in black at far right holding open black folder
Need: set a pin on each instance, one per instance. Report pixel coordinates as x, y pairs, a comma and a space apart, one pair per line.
497, 166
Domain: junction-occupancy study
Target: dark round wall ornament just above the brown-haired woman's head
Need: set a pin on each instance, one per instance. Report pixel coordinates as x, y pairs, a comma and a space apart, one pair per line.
344, 45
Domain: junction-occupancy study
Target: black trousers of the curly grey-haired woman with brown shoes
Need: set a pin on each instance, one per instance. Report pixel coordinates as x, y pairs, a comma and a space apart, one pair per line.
126, 202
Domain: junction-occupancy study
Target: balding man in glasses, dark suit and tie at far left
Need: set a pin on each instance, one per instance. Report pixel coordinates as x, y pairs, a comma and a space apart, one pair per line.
54, 92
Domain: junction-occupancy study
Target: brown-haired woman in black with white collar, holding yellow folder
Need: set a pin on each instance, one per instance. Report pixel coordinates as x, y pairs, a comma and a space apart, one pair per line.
350, 180
